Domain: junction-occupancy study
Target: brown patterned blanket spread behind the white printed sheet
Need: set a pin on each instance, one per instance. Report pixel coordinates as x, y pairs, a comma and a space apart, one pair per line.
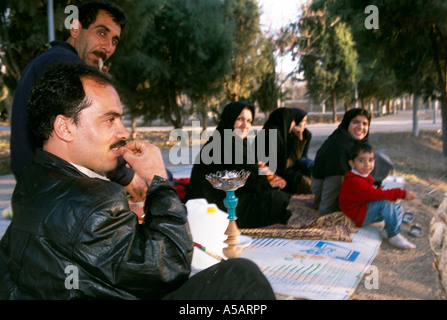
306, 223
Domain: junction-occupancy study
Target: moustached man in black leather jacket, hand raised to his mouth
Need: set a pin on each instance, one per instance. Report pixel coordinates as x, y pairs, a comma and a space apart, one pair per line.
73, 235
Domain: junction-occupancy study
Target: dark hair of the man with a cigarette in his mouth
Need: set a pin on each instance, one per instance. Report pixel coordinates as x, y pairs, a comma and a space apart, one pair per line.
88, 11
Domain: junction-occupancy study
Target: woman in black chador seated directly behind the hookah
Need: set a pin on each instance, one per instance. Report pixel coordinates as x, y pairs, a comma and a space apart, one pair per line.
259, 203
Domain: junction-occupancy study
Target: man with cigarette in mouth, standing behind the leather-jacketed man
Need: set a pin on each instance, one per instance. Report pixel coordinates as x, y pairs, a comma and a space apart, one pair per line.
93, 39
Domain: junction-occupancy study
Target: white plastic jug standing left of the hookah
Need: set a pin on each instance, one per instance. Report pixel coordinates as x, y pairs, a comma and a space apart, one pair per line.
208, 225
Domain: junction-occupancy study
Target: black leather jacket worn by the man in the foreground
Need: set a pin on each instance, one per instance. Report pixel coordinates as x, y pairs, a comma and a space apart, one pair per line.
74, 237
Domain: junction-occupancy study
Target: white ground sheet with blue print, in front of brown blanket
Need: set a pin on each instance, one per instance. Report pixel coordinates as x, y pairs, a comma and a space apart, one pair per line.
316, 269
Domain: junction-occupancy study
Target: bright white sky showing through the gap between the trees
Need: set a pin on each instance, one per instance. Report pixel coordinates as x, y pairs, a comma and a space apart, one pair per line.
274, 15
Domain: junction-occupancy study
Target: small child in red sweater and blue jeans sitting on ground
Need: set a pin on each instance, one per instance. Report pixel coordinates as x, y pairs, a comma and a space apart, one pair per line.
364, 204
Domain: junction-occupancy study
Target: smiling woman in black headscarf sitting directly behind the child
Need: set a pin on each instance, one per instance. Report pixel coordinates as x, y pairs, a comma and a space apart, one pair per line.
332, 159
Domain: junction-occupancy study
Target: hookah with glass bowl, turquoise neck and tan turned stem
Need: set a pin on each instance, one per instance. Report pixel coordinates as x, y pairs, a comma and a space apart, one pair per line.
230, 181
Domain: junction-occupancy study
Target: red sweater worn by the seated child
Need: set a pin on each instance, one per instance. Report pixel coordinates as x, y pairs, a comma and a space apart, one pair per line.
355, 193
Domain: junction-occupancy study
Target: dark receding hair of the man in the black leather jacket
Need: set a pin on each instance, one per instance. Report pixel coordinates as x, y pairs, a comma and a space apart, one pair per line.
59, 91
